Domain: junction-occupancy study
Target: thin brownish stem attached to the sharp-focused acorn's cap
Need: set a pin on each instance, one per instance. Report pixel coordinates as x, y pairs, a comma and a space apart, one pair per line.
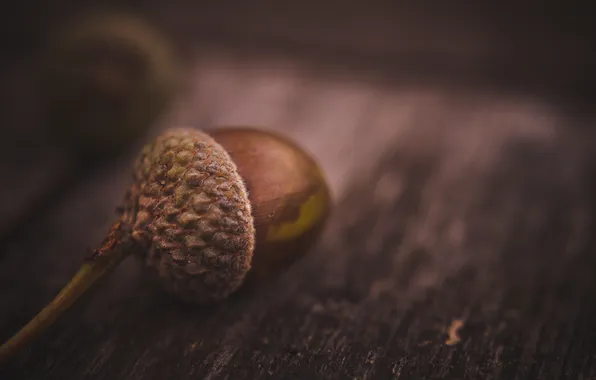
114, 249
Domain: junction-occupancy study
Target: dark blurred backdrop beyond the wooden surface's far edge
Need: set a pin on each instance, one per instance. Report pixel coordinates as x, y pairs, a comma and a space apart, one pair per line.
523, 44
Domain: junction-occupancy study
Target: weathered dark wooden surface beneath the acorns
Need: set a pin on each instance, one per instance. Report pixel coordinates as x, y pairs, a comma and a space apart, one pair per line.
461, 245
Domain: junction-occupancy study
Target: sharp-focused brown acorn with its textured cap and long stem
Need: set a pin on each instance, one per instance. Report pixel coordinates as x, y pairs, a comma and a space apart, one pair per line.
205, 213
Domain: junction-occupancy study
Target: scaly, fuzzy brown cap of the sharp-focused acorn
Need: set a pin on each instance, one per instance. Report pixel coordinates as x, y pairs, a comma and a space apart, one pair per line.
191, 216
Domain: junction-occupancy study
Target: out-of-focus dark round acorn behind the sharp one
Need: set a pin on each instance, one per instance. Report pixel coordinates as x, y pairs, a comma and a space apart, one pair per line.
104, 80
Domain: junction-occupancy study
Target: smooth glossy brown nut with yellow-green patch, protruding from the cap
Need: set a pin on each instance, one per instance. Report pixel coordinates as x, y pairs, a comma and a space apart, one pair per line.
289, 196
